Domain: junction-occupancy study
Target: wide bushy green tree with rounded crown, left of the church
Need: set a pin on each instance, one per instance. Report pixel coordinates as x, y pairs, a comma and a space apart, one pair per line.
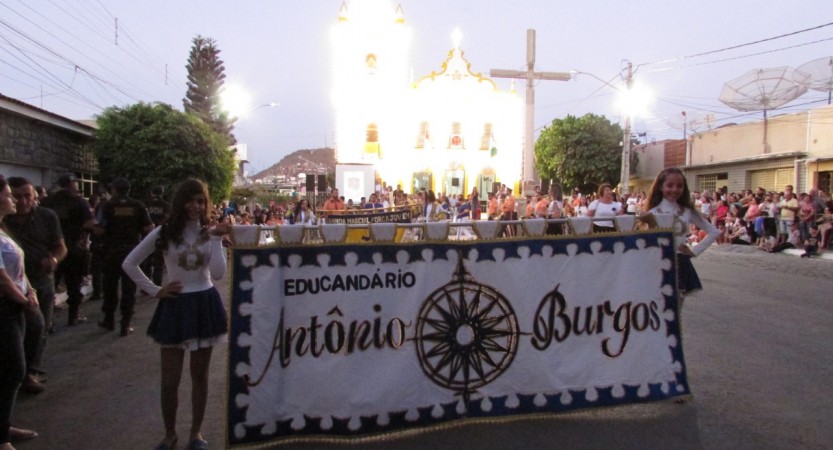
154, 144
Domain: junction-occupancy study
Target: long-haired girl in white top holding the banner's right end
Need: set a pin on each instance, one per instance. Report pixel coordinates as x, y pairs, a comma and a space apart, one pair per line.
670, 195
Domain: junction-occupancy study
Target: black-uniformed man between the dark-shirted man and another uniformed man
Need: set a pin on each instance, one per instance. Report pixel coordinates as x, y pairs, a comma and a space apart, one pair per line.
76, 222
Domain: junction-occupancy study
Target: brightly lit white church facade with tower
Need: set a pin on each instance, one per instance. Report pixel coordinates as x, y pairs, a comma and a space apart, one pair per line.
450, 131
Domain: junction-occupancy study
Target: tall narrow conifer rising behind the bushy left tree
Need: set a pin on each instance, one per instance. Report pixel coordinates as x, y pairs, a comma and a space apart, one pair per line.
205, 83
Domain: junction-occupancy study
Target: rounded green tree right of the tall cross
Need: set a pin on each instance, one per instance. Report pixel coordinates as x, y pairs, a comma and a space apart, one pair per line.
581, 152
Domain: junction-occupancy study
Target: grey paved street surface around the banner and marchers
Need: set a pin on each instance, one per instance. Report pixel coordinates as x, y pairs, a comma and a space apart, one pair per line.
757, 343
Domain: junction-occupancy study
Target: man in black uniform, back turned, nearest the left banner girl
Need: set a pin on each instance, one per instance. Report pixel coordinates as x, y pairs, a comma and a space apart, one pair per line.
123, 221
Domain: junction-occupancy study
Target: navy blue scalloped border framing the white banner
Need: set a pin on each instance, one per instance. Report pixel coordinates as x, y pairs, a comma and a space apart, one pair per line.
397, 422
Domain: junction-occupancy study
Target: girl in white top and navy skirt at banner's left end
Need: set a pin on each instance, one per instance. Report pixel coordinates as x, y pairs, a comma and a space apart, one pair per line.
190, 315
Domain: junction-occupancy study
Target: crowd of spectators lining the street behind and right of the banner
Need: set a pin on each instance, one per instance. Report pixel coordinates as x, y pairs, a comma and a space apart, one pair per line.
773, 221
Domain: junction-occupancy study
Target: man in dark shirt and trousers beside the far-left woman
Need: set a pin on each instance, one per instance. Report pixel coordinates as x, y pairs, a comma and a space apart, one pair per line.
38, 232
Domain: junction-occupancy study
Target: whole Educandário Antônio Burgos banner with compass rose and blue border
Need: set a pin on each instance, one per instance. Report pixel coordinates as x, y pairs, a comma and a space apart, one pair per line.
345, 340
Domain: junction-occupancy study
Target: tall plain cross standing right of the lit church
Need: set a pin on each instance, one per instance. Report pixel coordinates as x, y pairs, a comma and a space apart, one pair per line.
530, 75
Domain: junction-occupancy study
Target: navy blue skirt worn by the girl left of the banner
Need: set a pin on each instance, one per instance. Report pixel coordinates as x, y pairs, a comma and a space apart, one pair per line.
188, 318
